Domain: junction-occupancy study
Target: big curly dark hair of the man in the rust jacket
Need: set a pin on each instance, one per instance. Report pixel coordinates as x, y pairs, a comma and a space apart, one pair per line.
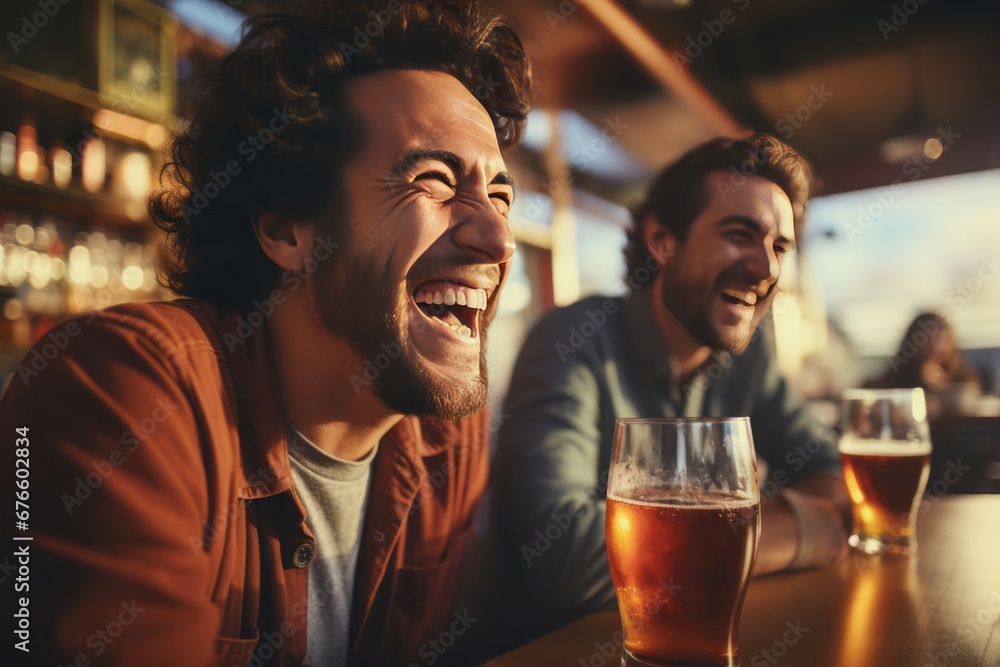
271, 129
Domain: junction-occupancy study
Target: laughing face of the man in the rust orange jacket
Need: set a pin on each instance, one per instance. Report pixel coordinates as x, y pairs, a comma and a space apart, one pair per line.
427, 241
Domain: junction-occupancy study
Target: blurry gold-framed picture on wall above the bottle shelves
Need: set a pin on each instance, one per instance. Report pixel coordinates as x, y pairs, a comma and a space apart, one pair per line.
137, 58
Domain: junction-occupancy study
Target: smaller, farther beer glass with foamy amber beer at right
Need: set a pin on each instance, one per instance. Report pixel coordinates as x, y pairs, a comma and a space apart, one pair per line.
886, 451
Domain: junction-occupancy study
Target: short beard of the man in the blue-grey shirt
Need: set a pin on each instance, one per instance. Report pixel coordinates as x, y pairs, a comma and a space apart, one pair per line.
693, 306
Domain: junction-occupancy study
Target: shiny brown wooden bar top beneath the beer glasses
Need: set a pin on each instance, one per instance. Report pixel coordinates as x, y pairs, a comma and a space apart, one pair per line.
940, 609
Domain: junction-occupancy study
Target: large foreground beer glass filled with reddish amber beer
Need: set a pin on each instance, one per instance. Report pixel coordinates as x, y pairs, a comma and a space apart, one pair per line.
683, 518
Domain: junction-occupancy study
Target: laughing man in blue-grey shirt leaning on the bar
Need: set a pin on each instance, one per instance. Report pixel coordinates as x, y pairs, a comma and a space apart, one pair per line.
704, 260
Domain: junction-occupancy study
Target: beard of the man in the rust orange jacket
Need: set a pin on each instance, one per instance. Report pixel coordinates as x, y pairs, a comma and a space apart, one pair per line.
357, 302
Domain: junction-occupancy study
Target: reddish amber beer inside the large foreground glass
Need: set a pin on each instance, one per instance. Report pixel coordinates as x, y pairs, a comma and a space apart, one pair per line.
681, 573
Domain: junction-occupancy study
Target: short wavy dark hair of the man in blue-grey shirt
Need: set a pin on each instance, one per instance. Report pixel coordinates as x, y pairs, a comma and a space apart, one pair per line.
679, 195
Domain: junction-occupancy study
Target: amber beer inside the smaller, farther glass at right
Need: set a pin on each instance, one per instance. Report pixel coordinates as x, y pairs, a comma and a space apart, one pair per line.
886, 479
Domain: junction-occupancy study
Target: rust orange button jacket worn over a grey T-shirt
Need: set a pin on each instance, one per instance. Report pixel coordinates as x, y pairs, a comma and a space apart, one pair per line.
166, 529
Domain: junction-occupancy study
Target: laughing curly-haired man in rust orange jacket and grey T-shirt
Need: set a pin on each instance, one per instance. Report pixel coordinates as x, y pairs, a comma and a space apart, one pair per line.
283, 466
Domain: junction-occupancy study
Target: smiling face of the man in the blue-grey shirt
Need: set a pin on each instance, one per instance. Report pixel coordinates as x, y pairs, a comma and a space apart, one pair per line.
720, 280
